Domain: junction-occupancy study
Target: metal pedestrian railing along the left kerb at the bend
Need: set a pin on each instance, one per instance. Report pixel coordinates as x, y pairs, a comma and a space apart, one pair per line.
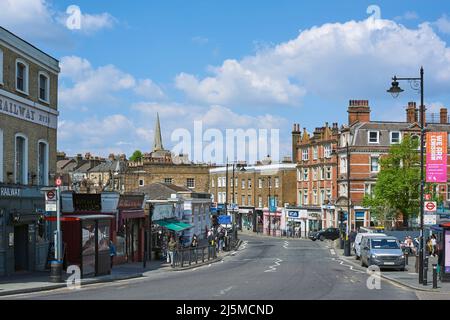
193, 255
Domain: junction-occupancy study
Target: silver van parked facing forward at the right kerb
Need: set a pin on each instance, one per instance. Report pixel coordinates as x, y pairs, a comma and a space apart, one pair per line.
382, 251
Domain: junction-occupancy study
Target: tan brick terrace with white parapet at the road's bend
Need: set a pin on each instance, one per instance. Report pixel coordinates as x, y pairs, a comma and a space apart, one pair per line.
252, 186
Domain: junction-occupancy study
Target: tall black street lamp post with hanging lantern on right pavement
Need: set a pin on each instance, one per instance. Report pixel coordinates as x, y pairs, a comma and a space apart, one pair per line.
395, 90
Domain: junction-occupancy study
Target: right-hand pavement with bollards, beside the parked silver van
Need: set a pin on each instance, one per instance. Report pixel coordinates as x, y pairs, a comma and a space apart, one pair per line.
408, 278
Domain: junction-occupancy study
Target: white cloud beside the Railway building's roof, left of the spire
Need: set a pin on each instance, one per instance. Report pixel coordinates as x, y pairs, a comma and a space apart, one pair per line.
82, 84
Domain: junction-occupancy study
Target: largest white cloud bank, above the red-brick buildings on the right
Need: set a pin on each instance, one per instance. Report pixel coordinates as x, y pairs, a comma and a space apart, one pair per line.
335, 60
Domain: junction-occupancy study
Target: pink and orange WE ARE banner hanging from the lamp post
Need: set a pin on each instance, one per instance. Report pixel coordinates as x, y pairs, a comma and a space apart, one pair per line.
436, 169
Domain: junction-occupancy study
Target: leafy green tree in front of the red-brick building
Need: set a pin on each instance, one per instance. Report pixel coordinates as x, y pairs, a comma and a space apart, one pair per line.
397, 190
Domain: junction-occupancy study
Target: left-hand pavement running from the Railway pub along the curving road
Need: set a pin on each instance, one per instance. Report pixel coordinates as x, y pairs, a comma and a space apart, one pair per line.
40, 281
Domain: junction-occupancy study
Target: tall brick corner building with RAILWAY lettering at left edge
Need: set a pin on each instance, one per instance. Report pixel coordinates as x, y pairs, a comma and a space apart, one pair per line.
28, 124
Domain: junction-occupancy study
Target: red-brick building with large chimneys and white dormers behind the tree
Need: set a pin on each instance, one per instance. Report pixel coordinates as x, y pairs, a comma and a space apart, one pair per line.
368, 141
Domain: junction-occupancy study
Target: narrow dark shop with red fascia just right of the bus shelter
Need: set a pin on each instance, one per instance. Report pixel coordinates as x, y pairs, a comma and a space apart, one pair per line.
131, 226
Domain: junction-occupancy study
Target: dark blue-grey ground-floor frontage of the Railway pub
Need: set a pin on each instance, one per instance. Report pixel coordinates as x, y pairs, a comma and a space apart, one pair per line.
24, 235
